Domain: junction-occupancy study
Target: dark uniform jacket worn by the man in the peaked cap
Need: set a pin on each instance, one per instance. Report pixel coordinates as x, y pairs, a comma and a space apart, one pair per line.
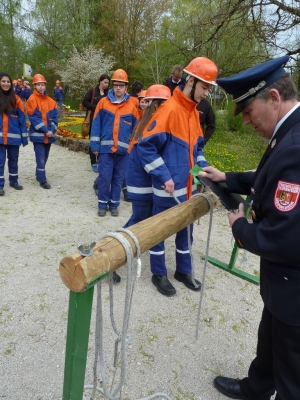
275, 232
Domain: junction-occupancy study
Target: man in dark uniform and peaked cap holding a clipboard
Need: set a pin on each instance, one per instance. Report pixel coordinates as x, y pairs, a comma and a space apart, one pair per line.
268, 100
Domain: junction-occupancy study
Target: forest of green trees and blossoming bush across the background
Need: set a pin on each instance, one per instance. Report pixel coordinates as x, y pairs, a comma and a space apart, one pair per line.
77, 40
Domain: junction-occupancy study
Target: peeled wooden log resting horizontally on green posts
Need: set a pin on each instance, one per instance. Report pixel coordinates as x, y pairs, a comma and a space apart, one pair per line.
77, 271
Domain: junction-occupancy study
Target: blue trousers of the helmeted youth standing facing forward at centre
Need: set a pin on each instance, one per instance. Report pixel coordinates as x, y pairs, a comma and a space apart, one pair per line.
111, 169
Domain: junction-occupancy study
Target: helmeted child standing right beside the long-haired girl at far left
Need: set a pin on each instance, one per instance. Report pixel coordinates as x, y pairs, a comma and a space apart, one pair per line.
43, 116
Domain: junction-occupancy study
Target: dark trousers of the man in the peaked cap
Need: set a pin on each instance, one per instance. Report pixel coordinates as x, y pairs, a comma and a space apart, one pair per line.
277, 363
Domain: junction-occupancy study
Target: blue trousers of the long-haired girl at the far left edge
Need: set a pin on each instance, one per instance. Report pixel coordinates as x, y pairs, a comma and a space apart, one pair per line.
12, 154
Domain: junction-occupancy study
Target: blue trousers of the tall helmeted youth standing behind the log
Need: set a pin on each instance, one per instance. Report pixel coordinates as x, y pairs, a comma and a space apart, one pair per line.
183, 257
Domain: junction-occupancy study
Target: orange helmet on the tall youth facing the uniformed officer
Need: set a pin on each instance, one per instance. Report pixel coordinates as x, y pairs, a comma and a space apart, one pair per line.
204, 69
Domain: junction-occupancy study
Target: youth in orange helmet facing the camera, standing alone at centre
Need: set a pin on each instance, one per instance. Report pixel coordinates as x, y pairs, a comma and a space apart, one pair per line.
114, 120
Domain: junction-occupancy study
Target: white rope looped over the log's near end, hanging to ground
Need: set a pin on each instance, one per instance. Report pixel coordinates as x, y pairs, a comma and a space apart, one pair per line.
122, 336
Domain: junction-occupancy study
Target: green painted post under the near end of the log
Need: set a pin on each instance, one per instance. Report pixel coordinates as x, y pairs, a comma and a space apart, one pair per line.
79, 320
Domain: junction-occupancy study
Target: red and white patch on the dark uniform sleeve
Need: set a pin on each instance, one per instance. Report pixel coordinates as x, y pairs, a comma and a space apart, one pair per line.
286, 196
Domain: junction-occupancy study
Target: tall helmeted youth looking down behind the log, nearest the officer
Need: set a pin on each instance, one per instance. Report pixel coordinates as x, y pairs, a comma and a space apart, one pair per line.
172, 144
